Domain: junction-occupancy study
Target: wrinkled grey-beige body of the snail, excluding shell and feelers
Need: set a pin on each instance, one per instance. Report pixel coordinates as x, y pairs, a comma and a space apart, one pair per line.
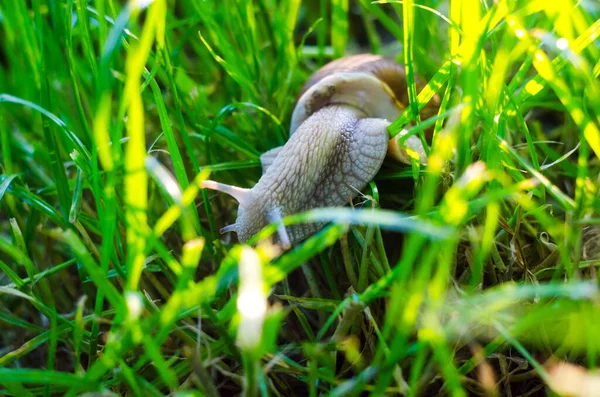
333, 154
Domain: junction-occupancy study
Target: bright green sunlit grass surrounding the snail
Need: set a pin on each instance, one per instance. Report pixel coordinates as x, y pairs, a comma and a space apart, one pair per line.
475, 274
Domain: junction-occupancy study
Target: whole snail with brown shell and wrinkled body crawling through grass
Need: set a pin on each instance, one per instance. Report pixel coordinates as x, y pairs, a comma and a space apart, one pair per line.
338, 141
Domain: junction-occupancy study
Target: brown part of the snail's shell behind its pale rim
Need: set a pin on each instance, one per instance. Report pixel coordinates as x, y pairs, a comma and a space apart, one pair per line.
389, 72
